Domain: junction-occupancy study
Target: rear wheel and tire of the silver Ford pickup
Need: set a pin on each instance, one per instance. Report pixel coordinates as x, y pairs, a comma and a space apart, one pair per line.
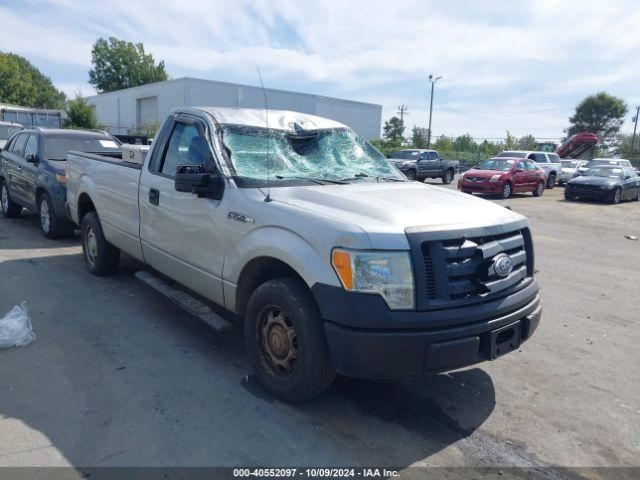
101, 257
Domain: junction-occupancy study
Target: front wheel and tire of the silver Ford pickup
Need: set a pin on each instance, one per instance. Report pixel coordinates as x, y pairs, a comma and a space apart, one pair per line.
288, 306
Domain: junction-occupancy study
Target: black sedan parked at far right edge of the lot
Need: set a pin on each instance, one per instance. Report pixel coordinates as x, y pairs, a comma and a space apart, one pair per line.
608, 183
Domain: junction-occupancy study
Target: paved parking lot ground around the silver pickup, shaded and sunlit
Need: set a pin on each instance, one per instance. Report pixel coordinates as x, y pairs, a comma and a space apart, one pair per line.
119, 376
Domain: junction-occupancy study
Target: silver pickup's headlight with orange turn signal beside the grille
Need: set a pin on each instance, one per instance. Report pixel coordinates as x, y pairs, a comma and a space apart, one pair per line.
388, 274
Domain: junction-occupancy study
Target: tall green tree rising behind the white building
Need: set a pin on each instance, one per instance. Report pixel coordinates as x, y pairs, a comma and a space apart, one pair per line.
118, 64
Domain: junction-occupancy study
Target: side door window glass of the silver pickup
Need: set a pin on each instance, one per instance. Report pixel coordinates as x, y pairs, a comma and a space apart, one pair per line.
187, 145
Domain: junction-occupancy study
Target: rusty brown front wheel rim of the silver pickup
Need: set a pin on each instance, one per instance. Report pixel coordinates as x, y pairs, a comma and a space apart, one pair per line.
279, 342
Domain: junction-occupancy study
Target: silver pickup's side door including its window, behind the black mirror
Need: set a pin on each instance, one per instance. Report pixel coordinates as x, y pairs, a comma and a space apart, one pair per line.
182, 235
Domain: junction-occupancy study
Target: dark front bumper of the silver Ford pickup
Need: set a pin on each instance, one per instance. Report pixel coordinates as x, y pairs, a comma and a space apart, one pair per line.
410, 343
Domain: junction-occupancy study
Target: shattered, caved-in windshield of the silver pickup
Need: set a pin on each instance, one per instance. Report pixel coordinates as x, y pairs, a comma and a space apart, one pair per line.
321, 156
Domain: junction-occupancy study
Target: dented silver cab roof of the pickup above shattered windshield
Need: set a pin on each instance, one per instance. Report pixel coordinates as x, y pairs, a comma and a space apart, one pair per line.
277, 119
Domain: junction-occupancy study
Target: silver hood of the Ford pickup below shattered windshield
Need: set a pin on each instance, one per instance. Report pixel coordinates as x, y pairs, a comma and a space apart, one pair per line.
383, 209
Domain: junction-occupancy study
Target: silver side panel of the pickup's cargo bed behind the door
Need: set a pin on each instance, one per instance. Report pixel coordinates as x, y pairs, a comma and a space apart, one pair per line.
112, 186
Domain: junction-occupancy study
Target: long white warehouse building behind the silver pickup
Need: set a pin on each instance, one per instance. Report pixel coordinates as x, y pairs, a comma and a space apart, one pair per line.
134, 109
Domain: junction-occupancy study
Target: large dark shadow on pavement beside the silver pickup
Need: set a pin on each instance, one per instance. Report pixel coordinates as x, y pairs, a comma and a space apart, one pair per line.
119, 376
